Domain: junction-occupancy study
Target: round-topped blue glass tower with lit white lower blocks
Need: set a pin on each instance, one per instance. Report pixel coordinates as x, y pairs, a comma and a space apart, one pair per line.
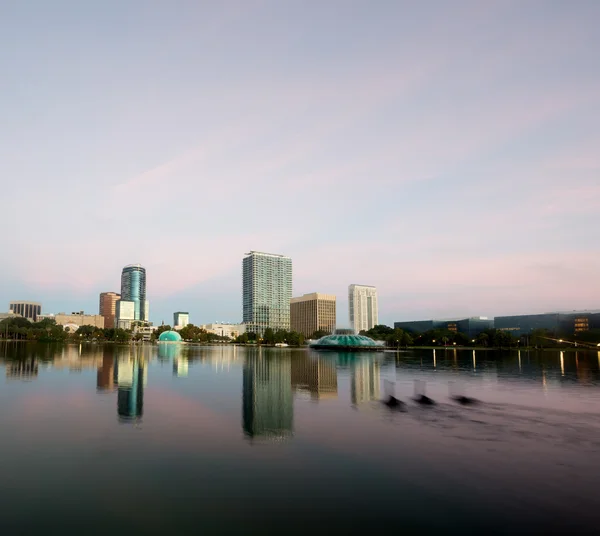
133, 305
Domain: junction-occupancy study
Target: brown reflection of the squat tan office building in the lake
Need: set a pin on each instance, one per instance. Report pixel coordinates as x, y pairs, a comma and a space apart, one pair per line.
315, 374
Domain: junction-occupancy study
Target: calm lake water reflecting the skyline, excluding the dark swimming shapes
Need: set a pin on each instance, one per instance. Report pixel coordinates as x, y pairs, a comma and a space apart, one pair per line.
229, 440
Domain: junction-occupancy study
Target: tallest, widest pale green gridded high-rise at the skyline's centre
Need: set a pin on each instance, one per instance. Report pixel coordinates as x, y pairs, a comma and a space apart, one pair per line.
267, 290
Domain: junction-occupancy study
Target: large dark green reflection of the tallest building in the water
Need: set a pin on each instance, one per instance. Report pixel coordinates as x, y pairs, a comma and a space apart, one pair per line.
268, 409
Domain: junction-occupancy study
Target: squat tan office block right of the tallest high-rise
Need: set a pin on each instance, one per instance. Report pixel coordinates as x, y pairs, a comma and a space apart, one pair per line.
313, 312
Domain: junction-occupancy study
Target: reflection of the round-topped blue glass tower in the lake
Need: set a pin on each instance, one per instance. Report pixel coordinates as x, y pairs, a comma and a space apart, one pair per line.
131, 374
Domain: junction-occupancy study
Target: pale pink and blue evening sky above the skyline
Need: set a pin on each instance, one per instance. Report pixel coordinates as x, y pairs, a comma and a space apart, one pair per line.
447, 153
